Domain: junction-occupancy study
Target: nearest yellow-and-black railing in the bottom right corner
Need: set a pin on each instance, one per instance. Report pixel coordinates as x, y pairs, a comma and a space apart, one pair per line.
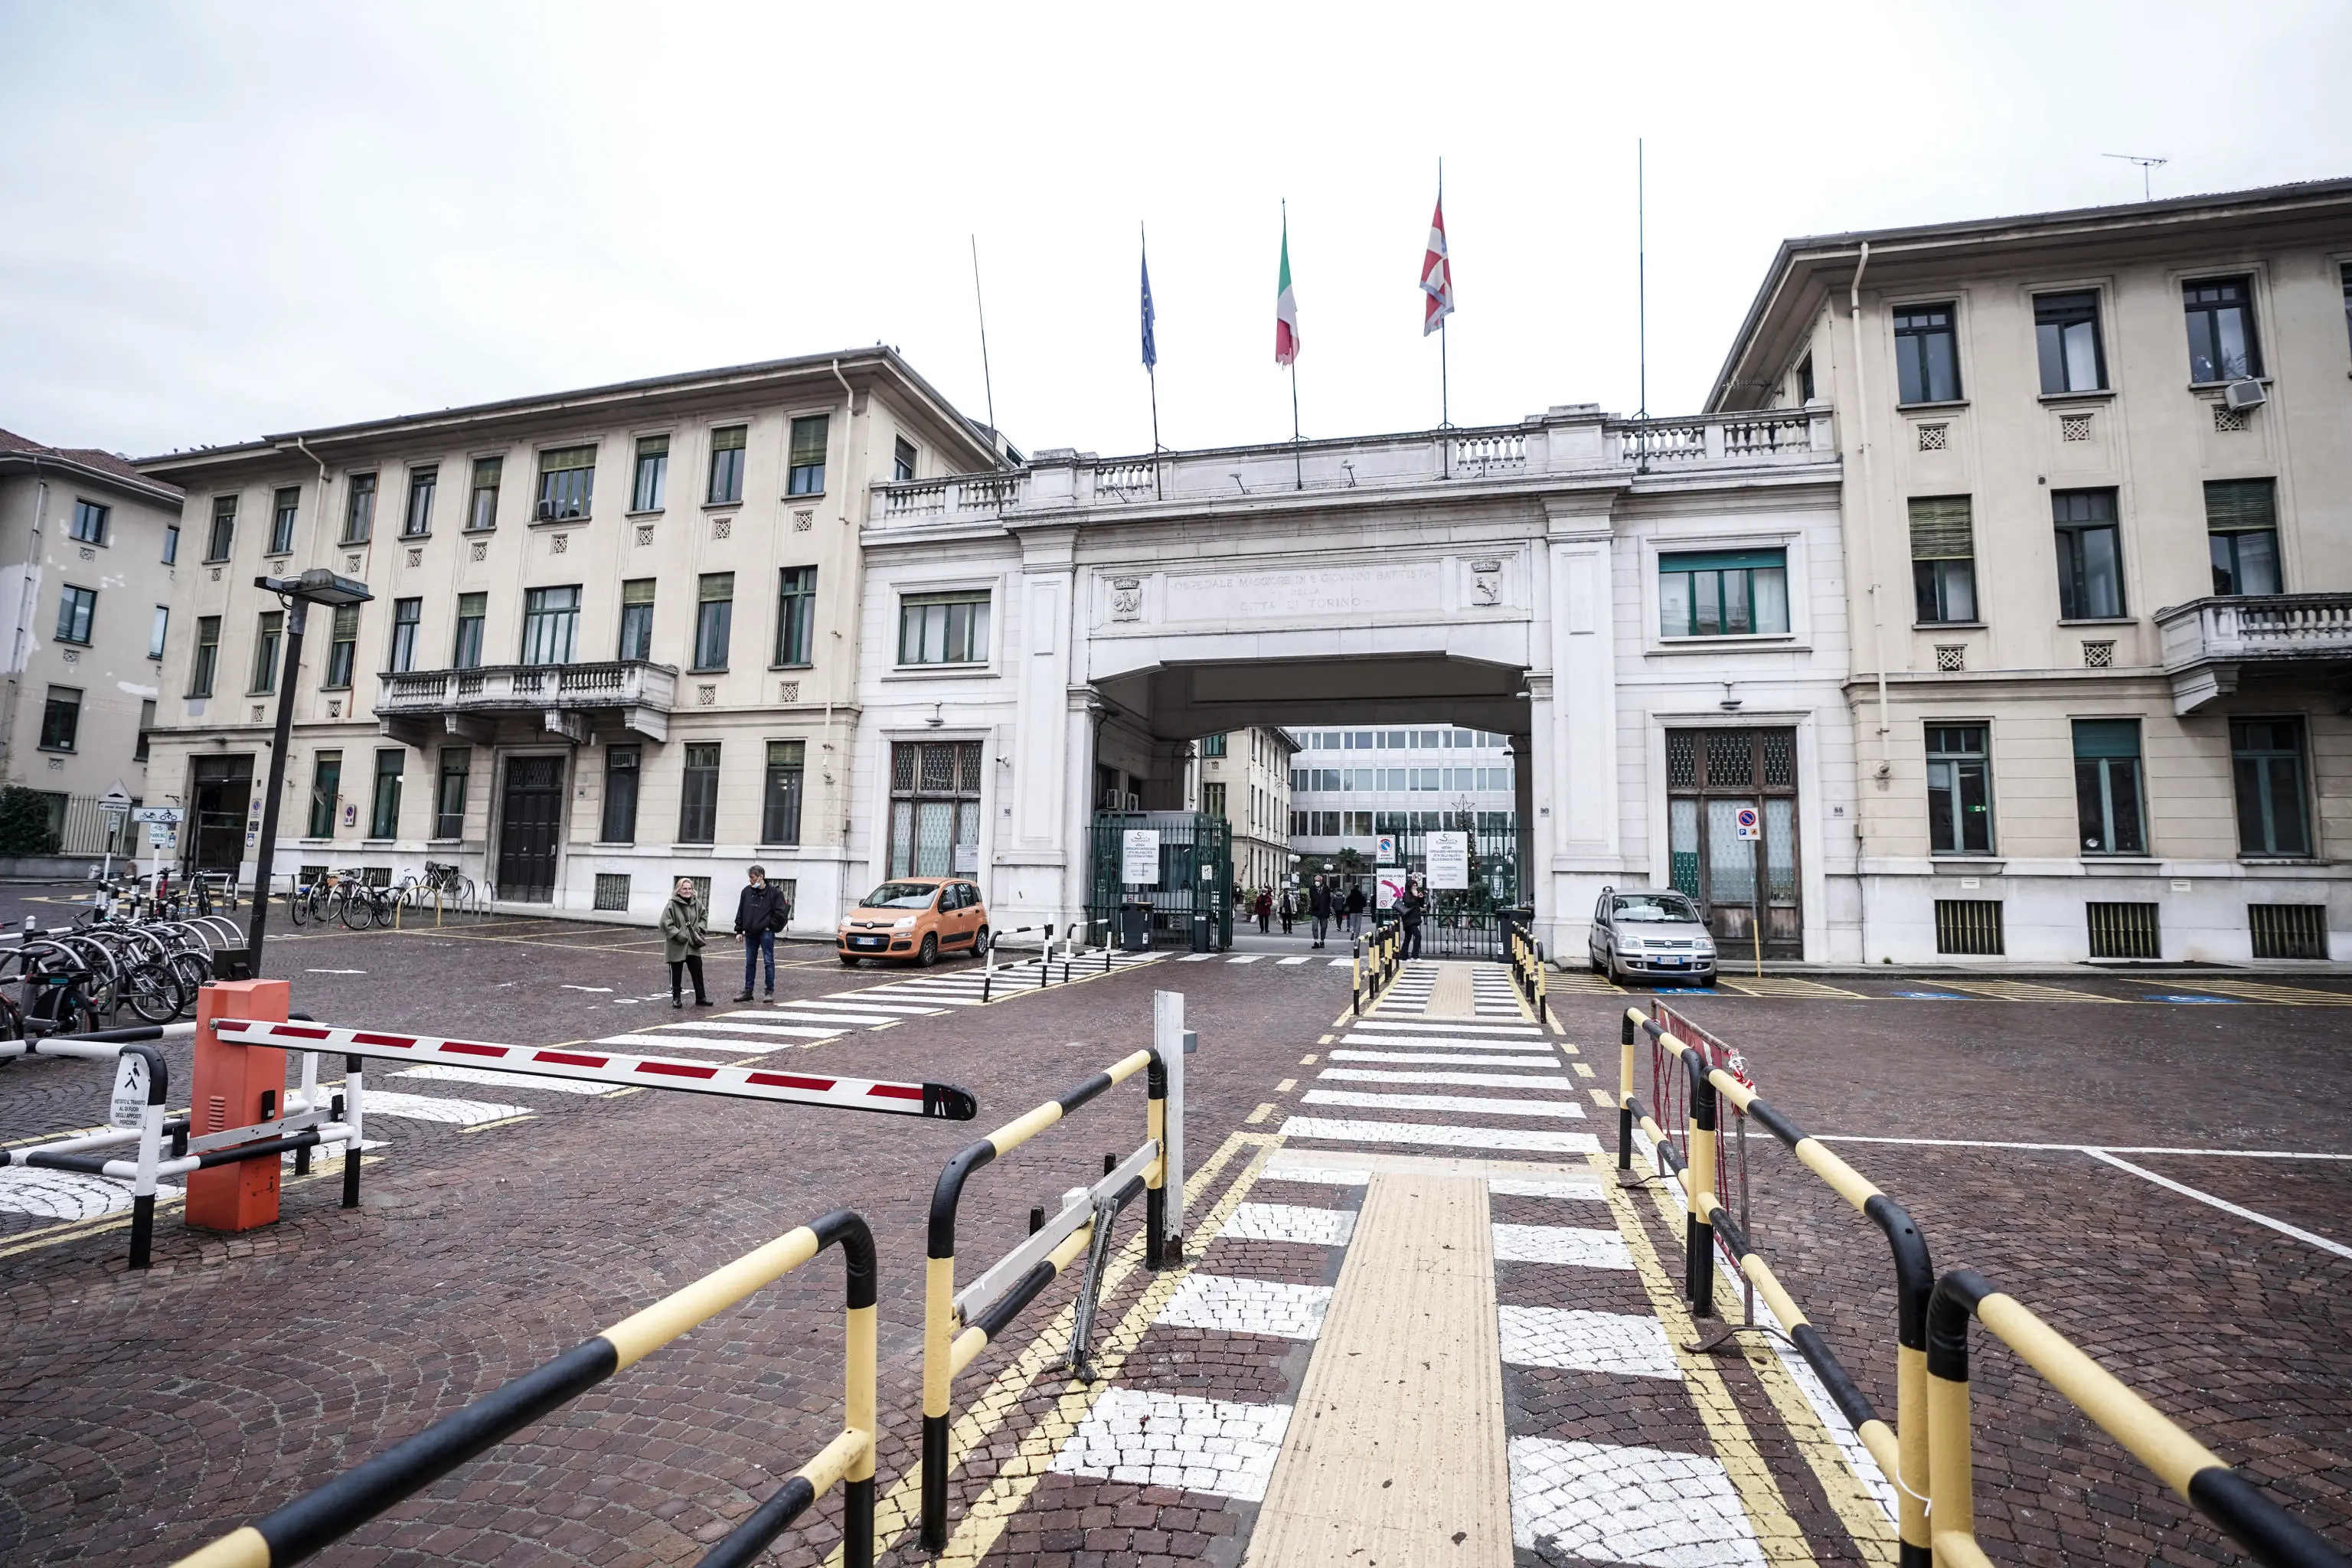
2221, 1494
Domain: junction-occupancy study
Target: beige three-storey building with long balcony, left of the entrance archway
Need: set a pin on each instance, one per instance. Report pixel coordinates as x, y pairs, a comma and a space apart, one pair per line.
613, 634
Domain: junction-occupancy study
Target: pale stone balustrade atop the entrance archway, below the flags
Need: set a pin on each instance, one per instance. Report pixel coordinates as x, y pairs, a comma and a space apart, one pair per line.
1572, 443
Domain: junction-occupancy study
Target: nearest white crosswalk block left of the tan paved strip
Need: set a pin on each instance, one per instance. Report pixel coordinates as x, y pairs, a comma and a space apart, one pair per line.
1175, 1440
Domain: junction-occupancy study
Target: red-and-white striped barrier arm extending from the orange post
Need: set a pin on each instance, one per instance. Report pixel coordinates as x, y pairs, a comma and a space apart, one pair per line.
940, 1101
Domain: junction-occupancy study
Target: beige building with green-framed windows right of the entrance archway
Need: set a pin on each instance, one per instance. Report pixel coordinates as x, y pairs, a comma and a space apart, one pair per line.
2099, 547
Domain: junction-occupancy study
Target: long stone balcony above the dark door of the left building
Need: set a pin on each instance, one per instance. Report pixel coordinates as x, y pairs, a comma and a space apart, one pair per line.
472, 702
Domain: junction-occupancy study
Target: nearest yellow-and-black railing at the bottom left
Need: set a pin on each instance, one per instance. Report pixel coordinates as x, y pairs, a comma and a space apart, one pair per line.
368, 1489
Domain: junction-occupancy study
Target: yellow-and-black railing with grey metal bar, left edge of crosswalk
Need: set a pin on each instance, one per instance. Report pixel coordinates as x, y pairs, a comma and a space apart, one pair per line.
961, 1325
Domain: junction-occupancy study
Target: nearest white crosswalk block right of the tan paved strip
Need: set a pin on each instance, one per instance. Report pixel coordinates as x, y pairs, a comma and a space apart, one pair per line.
1629, 1506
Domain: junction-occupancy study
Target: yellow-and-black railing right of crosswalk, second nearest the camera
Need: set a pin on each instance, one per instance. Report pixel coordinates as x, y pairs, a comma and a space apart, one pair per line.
1902, 1454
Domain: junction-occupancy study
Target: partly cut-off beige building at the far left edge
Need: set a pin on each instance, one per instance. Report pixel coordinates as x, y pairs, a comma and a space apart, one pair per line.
88, 561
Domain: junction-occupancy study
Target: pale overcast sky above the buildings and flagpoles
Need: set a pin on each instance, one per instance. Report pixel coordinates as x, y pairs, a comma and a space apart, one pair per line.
236, 220
